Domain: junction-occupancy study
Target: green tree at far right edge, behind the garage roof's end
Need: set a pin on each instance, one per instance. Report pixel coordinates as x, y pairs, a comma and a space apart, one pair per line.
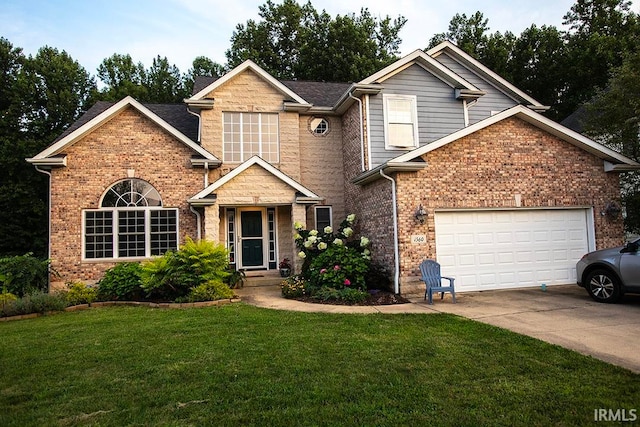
613, 117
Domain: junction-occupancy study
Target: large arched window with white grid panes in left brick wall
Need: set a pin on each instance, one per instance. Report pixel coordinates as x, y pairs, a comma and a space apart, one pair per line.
131, 223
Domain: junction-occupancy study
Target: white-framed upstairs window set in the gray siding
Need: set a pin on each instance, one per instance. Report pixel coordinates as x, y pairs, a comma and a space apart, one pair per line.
400, 121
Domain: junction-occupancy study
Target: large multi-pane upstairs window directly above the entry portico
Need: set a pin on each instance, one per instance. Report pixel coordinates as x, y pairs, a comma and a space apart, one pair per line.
249, 134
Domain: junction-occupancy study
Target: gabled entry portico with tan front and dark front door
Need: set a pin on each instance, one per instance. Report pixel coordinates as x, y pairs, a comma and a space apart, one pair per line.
252, 210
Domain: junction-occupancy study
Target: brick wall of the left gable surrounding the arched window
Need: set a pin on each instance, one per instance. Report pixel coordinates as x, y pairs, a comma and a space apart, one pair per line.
128, 141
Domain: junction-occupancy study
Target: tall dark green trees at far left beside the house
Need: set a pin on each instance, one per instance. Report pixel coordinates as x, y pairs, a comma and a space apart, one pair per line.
41, 96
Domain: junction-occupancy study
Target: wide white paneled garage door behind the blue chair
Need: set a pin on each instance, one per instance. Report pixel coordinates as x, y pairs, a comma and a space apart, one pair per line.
511, 249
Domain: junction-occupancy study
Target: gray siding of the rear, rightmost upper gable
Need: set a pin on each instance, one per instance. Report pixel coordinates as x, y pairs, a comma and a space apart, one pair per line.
494, 100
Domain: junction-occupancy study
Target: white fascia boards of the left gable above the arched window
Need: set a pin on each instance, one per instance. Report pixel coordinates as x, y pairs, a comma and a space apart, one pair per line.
111, 112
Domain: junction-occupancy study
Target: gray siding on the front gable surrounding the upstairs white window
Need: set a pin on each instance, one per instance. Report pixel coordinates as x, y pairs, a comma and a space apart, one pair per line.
439, 113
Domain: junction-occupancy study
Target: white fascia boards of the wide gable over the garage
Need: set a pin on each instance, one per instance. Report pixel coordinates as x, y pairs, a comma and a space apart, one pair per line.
537, 120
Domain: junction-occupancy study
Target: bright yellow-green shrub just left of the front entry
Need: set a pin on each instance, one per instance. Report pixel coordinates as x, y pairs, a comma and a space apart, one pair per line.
174, 274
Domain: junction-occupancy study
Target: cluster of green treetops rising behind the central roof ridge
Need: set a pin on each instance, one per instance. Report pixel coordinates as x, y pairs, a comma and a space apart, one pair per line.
294, 41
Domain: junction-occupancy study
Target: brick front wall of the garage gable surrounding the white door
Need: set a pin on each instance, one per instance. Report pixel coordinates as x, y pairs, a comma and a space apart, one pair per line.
486, 170
